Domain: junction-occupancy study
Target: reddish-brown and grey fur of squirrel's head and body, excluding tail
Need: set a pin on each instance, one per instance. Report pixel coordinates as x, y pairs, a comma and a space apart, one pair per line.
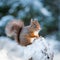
28, 33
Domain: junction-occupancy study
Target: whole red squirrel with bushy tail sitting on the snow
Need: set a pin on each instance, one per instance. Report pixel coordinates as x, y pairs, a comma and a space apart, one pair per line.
24, 35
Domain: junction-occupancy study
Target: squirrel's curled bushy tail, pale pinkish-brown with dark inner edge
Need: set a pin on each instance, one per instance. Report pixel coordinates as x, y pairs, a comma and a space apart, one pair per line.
13, 29
